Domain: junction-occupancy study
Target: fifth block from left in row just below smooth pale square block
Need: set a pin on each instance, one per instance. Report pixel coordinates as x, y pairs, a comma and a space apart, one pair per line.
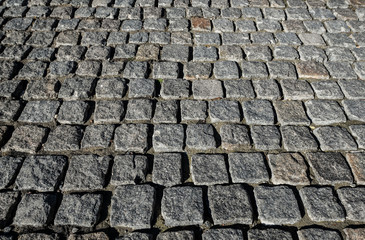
139, 109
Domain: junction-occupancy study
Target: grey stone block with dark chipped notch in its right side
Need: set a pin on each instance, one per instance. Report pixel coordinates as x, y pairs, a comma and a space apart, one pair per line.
129, 169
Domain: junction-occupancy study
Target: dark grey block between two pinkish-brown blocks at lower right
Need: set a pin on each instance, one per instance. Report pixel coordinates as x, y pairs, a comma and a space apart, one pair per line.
338, 172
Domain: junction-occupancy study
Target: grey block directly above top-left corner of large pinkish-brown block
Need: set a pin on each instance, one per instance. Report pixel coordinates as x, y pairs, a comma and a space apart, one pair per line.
266, 137
